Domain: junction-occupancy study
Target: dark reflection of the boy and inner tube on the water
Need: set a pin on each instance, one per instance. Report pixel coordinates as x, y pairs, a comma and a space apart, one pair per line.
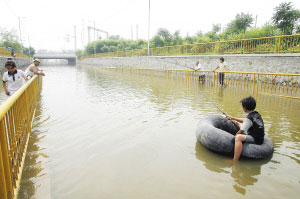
244, 173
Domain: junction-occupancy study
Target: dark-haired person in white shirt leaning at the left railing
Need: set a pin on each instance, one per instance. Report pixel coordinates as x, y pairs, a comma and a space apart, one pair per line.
12, 80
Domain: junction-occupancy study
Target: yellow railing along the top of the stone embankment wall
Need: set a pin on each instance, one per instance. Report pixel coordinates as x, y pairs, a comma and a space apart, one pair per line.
276, 44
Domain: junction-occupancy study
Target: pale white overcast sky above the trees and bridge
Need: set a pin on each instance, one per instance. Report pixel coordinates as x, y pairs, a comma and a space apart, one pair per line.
46, 23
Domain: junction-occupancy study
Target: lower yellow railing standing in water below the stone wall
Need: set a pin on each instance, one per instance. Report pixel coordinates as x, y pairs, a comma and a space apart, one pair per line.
274, 84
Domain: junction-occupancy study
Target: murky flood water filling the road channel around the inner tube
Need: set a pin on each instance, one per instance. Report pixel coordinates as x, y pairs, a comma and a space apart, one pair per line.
112, 134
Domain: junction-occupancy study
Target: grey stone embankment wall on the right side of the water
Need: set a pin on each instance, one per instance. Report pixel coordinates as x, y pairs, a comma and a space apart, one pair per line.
269, 63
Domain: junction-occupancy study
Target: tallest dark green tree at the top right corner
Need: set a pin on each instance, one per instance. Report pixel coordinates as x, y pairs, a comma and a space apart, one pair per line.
286, 17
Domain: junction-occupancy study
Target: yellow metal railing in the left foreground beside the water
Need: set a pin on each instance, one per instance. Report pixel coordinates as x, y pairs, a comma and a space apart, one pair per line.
16, 115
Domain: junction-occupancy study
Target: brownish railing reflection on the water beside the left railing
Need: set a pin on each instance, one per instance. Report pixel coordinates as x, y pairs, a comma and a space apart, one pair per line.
35, 160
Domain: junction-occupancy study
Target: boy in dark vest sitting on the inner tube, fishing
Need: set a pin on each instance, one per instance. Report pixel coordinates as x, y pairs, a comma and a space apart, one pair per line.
251, 127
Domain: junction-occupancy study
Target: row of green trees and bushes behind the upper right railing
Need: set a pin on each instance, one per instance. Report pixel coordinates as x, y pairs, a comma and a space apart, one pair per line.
285, 21
